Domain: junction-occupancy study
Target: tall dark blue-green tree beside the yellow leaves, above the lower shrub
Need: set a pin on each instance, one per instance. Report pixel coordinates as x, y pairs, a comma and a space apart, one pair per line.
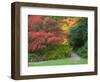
79, 34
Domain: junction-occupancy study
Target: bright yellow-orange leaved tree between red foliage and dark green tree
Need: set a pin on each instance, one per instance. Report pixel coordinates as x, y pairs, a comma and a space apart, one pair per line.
66, 24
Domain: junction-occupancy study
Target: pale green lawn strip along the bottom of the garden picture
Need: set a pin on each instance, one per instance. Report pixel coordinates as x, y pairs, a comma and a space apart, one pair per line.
59, 62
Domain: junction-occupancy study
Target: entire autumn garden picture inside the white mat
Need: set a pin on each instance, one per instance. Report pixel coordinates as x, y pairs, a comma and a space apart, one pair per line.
57, 40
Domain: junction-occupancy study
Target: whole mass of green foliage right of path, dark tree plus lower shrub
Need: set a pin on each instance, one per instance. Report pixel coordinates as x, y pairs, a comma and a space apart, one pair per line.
78, 38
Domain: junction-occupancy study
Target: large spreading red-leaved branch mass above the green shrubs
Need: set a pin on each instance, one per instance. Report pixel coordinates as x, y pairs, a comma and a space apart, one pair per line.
41, 39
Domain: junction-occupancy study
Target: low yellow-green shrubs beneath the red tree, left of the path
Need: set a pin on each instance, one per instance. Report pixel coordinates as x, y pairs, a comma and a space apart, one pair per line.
50, 53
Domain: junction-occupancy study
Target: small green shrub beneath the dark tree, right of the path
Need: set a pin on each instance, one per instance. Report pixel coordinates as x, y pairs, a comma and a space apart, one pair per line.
83, 51
